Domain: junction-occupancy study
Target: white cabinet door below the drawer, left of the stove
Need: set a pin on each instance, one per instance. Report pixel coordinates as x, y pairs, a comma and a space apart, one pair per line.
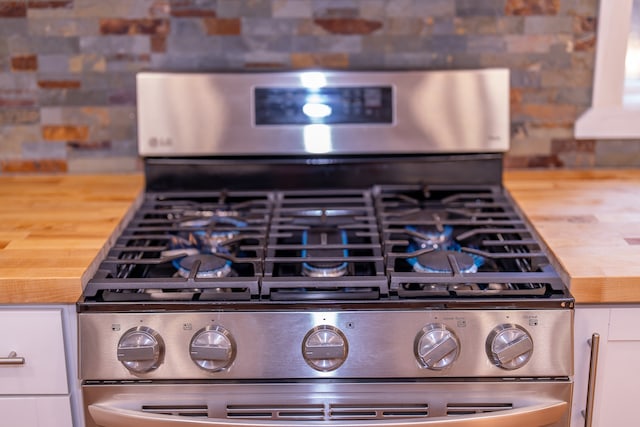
41, 411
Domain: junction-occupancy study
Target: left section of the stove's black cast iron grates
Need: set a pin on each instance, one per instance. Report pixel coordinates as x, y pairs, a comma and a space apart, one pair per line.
185, 247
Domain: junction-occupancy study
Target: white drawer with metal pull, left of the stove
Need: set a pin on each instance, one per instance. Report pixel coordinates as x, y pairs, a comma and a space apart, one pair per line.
36, 336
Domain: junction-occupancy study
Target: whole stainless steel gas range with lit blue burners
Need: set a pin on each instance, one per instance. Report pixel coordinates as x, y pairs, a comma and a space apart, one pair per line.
325, 249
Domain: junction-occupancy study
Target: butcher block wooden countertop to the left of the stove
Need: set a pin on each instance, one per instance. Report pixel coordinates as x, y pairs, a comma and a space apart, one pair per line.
52, 229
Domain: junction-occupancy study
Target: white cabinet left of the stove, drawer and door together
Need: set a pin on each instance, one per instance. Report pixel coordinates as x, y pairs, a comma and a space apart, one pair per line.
34, 390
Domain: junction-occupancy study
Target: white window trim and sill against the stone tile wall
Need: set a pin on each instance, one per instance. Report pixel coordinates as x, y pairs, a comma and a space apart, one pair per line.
608, 117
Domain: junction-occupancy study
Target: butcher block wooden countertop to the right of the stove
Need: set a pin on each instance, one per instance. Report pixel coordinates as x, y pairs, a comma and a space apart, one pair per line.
590, 222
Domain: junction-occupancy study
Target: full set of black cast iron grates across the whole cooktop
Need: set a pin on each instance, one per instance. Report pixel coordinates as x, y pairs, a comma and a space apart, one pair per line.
384, 243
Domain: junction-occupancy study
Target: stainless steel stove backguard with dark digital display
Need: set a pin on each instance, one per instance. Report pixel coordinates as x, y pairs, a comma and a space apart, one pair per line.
190, 114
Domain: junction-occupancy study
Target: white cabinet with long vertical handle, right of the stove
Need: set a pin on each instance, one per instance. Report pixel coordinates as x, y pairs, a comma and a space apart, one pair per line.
618, 371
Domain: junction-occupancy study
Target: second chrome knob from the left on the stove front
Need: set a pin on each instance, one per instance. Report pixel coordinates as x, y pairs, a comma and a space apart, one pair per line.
212, 348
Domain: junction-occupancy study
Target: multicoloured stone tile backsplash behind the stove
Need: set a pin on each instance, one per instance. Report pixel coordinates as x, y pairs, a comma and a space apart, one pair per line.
67, 67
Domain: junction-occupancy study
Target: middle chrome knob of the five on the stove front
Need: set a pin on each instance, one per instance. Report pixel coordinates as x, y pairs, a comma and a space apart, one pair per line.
325, 348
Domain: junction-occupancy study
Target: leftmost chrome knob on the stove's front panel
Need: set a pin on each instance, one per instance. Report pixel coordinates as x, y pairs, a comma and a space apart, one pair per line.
140, 349
